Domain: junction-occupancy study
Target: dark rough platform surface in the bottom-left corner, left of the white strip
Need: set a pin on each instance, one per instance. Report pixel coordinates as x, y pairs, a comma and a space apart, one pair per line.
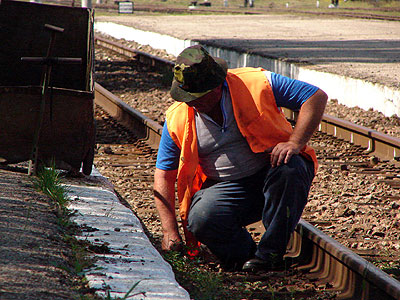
34, 258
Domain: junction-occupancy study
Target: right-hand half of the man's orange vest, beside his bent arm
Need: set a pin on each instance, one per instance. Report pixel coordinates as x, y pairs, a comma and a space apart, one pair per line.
259, 120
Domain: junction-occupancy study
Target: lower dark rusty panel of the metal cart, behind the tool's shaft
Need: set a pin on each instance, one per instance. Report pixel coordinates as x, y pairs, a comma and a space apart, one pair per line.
67, 133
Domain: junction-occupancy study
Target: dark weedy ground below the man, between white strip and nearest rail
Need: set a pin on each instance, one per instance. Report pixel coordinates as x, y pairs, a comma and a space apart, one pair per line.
205, 281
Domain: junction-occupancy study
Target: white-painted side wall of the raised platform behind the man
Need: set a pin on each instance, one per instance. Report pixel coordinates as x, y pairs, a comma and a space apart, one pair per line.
353, 92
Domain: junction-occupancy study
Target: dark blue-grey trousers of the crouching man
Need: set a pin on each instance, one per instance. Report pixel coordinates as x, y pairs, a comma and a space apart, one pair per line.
221, 209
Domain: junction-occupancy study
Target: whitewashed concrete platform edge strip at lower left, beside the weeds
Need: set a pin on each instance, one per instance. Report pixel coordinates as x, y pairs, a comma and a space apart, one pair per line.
130, 257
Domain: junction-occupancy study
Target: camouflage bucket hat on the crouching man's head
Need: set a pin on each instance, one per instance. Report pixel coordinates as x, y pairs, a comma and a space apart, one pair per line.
196, 73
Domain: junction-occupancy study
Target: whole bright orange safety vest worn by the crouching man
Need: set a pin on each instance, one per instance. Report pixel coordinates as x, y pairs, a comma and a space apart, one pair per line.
258, 118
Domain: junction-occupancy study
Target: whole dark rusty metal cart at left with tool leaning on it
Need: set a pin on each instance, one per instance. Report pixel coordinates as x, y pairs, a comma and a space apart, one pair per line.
46, 85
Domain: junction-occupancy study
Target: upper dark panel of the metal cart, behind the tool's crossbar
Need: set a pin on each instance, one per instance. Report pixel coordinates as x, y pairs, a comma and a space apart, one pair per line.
22, 26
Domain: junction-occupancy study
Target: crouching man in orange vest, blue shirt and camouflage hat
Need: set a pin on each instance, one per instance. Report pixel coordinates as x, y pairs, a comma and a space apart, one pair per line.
236, 159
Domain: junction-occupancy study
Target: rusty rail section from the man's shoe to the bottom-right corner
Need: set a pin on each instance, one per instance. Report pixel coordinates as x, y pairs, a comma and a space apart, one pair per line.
323, 258
